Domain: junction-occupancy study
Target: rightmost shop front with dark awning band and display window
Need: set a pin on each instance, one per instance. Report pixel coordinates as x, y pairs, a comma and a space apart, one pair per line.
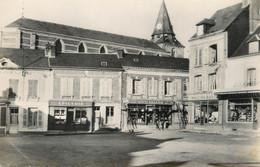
241, 110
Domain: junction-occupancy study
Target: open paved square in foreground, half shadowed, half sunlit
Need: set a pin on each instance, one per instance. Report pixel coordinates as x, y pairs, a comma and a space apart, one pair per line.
149, 148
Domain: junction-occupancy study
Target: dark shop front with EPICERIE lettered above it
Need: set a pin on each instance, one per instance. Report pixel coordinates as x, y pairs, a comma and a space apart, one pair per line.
70, 115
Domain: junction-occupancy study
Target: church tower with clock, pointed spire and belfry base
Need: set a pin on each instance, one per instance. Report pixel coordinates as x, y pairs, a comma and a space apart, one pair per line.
164, 36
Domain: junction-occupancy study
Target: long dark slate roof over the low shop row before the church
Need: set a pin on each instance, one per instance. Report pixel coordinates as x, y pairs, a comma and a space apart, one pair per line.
29, 58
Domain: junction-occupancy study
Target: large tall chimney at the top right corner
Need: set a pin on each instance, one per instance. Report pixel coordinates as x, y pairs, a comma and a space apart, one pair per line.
254, 15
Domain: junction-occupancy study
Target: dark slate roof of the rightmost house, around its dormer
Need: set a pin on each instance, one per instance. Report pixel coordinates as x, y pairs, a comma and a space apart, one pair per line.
243, 49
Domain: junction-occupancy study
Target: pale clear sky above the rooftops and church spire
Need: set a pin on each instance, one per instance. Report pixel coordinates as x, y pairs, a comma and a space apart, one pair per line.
134, 18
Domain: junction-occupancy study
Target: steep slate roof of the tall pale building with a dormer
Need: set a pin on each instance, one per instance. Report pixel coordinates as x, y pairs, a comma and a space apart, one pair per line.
224, 17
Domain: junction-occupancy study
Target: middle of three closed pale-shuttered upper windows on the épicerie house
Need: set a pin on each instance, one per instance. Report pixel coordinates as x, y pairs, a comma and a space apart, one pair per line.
86, 85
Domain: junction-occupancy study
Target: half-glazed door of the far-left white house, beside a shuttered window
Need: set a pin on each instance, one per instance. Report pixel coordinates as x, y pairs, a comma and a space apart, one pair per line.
14, 112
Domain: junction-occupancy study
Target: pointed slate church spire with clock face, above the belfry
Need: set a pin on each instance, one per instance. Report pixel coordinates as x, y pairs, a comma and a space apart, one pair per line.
163, 23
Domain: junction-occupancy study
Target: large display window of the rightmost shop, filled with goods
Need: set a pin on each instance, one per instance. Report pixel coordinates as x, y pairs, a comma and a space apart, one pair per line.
240, 110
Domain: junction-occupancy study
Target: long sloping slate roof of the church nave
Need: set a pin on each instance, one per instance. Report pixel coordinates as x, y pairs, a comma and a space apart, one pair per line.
82, 33
